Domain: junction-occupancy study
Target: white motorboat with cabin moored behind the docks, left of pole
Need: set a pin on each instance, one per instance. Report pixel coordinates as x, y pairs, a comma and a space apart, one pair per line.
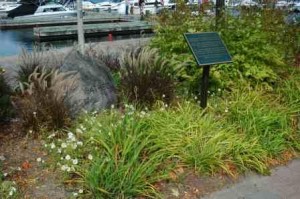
50, 11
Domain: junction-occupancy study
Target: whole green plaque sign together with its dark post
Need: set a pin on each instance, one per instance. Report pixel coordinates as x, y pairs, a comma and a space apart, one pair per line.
208, 49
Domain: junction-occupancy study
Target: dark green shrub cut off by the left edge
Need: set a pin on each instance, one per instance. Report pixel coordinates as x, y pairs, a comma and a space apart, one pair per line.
6, 109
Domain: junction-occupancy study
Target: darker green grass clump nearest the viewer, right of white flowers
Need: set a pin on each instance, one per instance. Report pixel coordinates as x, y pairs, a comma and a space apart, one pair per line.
127, 163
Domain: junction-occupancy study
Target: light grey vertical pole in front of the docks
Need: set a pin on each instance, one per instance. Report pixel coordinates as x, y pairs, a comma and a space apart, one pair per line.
80, 30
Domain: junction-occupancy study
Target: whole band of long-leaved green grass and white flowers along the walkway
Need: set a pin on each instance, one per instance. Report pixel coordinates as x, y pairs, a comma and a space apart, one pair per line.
124, 153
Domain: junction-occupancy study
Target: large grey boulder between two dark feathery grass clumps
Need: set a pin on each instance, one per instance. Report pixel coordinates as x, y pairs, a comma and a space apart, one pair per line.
95, 87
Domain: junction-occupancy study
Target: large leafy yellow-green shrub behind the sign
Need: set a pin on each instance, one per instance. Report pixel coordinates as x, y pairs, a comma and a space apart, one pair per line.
258, 42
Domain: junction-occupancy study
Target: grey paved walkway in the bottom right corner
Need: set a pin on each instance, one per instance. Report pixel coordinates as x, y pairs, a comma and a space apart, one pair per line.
283, 183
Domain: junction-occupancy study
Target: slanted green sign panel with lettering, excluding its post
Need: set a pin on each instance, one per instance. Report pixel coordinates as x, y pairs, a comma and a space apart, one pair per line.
208, 48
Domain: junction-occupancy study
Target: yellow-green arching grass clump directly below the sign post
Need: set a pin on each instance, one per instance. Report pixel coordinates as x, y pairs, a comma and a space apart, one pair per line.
203, 142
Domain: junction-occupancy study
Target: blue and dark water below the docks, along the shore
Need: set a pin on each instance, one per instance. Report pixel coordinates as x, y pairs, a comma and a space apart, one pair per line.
13, 41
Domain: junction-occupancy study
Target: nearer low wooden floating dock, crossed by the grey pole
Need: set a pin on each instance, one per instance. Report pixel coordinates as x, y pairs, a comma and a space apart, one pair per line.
92, 30
